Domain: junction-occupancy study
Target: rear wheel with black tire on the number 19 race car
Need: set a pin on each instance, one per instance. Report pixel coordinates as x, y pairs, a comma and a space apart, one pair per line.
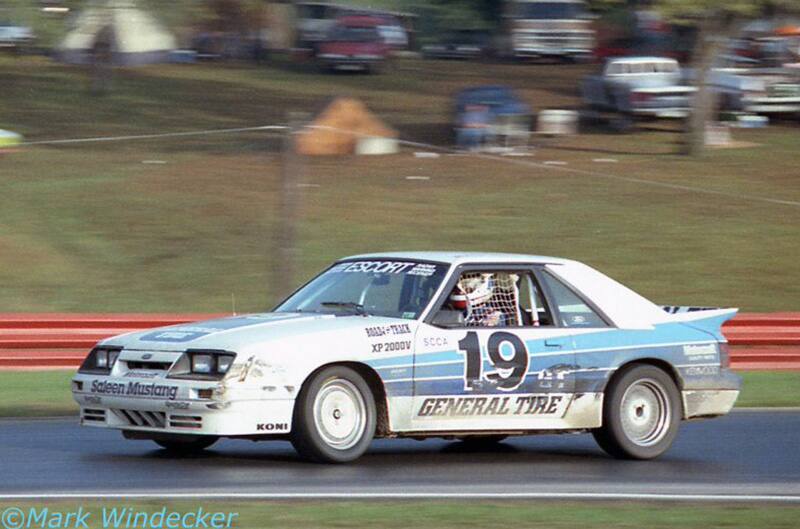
641, 414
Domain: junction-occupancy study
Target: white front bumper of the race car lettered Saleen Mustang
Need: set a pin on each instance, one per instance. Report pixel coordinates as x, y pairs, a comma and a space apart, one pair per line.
117, 402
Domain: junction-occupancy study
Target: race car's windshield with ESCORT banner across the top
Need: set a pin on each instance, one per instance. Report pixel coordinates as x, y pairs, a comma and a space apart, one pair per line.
391, 288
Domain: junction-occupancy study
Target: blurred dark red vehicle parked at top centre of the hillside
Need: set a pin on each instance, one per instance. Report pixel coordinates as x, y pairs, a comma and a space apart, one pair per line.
355, 43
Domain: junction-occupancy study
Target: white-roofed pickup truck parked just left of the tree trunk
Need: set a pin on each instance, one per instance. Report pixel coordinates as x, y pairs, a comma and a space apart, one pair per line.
639, 87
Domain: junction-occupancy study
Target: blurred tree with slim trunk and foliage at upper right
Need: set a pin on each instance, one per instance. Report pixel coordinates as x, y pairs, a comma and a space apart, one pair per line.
716, 22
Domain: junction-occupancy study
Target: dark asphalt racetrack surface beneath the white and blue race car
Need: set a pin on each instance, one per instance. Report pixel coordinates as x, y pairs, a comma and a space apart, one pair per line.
745, 453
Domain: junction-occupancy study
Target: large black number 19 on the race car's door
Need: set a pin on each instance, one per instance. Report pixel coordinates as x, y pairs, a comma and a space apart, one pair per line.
509, 373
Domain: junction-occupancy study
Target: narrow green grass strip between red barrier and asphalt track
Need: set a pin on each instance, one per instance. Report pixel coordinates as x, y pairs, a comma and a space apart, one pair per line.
47, 393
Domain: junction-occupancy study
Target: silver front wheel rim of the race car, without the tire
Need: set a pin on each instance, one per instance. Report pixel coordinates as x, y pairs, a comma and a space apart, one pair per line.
340, 414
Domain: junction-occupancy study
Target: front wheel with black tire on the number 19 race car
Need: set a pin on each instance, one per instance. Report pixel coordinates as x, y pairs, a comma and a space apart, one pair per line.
334, 416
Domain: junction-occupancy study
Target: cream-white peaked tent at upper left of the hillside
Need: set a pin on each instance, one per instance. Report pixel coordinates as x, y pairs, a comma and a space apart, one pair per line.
117, 28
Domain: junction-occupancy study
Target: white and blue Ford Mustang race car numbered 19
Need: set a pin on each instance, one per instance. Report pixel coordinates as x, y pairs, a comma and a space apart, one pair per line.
467, 346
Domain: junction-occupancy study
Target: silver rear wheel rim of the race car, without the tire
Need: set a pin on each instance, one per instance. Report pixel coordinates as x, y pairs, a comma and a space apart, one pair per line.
645, 412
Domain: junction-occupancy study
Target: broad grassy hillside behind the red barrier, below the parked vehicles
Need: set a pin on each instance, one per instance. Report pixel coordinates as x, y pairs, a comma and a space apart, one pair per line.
90, 227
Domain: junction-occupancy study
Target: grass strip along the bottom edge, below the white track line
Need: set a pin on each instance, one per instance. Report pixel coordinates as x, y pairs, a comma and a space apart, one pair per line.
453, 514
